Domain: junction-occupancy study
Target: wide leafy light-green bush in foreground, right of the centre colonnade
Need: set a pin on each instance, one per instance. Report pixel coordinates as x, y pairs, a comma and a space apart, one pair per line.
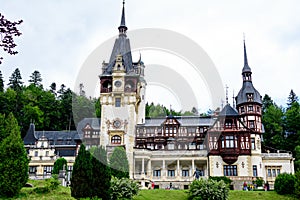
208, 190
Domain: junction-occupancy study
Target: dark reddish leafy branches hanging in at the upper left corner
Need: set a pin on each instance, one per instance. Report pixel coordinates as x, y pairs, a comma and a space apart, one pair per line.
8, 30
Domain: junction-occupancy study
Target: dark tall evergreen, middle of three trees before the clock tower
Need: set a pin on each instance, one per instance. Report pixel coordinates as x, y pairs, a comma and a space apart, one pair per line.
101, 174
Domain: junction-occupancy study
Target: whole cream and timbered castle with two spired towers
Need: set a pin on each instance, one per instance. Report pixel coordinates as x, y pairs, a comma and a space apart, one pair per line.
170, 149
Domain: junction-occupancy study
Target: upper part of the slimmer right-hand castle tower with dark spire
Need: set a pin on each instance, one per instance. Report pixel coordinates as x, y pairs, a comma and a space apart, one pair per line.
248, 100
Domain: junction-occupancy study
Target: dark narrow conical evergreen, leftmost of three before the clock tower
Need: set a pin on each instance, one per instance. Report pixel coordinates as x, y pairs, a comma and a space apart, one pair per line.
82, 175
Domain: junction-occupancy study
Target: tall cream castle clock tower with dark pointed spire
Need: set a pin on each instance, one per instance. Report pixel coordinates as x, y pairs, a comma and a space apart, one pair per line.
122, 96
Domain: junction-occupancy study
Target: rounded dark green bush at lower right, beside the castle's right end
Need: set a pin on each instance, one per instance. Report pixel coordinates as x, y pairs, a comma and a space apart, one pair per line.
285, 183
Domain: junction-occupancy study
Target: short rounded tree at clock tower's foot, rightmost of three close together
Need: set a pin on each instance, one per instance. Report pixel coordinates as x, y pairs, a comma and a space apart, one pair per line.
119, 163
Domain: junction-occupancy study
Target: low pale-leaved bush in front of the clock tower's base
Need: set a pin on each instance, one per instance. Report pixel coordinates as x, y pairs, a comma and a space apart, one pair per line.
123, 188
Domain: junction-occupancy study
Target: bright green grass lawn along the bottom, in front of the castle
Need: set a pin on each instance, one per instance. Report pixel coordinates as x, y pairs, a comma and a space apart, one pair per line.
63, 193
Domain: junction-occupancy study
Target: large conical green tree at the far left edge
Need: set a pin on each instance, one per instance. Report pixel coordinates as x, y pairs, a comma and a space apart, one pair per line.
13, 159
